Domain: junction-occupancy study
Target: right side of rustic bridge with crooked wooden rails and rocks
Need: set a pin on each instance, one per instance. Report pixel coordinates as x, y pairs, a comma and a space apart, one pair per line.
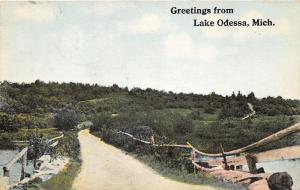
230, 169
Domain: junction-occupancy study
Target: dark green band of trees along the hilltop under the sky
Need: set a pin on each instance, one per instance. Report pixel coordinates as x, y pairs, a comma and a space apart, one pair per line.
39, 97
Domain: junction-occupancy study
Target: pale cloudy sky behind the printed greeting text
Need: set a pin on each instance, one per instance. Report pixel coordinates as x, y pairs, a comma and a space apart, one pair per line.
141, 44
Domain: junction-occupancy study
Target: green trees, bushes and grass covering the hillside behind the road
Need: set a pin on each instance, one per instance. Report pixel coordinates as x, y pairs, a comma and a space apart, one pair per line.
204, 120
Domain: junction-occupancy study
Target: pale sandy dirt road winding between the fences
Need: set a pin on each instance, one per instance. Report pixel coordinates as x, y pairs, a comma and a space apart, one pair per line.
105, 167
